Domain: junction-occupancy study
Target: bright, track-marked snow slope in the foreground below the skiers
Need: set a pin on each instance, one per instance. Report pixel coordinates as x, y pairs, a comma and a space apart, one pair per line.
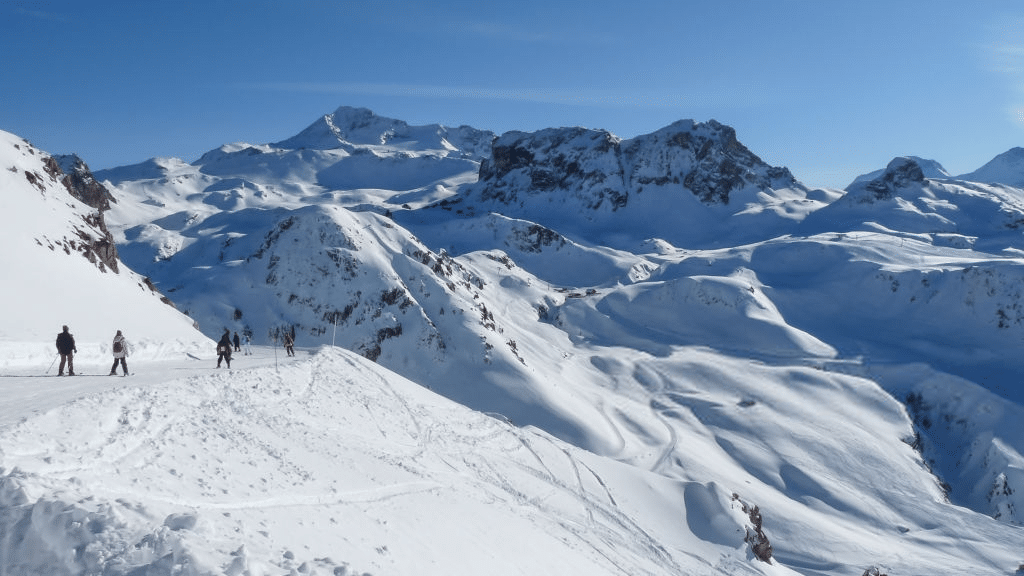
326, 465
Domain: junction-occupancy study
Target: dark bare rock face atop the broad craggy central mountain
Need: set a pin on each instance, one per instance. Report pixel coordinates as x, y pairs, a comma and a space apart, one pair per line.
604, 173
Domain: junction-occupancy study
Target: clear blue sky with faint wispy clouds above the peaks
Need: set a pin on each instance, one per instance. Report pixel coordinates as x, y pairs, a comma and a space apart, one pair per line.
830, 89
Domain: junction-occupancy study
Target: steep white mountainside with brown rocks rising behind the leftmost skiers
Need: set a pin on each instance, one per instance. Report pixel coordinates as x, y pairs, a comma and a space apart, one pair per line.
63, 266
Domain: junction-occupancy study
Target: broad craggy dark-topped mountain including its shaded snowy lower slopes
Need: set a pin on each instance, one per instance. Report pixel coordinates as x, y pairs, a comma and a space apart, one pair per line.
691, 184
